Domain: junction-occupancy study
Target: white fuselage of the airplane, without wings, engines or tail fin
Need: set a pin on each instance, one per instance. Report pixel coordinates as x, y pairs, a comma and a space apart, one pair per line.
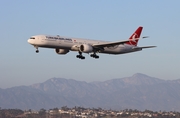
72, 44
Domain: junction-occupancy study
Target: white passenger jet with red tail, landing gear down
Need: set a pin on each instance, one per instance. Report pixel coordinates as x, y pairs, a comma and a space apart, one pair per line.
63, 45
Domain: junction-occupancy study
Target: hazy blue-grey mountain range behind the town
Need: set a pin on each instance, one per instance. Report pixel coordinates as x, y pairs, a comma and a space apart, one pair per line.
136, 92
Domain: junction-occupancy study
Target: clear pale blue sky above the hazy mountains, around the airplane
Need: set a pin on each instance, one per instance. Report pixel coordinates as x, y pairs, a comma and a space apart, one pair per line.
102, 20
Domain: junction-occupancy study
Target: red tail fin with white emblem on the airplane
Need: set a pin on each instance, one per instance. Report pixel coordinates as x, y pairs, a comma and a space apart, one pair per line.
135, 35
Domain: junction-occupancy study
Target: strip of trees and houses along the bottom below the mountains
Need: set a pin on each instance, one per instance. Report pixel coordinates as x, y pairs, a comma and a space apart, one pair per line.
80, 112
